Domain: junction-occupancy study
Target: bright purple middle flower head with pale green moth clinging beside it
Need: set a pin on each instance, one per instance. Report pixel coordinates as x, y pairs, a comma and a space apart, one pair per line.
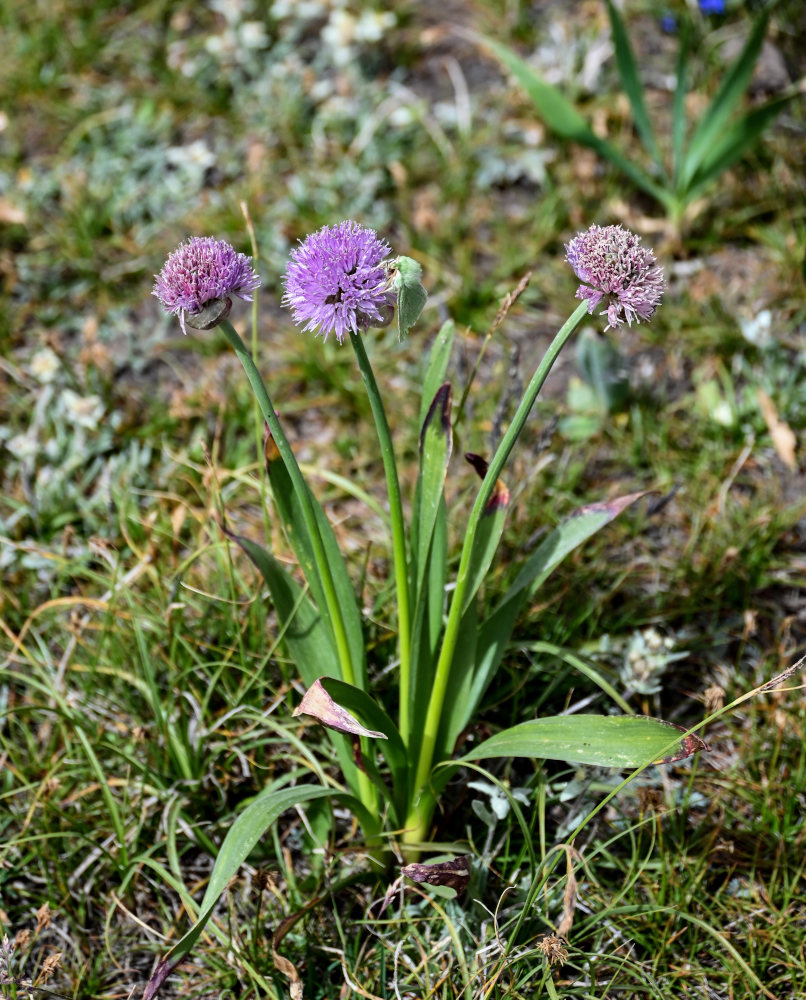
336, 281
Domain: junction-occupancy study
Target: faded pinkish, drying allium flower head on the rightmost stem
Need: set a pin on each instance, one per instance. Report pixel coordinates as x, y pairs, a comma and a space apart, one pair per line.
617, 269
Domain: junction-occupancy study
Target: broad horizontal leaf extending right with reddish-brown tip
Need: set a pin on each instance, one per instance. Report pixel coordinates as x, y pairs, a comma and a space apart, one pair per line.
623, 741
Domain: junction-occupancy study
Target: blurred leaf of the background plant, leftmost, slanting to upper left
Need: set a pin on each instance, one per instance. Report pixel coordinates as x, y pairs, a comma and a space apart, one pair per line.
560, 115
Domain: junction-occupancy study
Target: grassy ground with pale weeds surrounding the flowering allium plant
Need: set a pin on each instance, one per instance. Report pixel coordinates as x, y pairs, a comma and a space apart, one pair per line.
142, 696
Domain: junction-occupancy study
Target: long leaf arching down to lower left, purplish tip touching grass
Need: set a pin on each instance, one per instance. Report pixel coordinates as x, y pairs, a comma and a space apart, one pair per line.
246, 830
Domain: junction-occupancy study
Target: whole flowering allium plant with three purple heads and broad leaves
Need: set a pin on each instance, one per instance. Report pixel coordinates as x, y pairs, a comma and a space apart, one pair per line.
397, 754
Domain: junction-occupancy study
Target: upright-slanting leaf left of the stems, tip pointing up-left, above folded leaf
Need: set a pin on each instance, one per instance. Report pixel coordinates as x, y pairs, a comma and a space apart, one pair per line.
303, 631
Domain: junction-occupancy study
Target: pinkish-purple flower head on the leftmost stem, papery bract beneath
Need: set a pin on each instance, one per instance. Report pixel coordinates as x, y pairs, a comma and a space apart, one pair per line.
198, 279
